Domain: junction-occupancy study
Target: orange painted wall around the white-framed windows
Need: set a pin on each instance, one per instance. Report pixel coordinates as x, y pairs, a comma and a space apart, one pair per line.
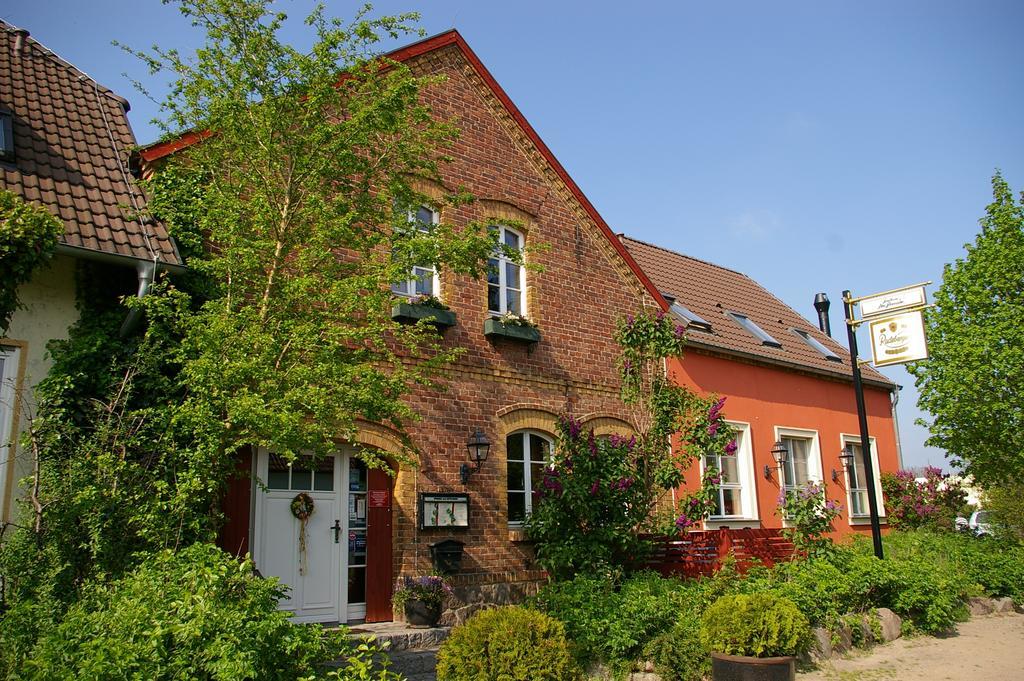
766, 398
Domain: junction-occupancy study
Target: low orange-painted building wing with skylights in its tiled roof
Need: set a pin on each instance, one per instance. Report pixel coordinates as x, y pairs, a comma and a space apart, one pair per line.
786, 381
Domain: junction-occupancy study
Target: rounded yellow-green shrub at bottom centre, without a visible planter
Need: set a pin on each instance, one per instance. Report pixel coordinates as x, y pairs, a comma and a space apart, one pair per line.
508, 644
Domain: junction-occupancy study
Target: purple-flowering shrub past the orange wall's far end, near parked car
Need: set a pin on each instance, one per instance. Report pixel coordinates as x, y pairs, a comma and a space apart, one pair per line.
935, 502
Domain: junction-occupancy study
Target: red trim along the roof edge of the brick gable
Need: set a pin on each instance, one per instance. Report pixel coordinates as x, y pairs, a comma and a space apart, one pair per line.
454, 38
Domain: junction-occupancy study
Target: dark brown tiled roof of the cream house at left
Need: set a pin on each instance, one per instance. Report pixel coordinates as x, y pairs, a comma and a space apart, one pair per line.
72, 146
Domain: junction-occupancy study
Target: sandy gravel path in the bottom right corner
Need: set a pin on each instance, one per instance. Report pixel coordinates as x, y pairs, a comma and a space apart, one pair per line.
986, 649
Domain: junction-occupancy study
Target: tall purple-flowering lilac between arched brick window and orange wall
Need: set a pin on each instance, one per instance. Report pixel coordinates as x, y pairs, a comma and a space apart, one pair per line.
600, 494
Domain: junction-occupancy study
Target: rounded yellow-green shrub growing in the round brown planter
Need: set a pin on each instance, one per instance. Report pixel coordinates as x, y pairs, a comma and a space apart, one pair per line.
755, 625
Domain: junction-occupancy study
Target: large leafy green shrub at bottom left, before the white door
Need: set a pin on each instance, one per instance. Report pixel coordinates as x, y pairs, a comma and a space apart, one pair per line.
193, 615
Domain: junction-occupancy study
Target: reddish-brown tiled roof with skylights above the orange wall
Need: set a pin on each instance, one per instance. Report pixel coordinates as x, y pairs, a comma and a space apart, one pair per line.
711, 291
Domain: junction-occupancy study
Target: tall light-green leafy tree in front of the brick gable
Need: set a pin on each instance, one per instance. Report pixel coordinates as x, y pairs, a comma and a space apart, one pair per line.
307, 192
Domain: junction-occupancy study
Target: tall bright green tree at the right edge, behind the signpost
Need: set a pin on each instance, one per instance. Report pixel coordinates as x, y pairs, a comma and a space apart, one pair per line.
972, 384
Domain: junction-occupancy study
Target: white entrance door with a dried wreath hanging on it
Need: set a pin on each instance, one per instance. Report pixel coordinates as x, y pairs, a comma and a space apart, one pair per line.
310, 566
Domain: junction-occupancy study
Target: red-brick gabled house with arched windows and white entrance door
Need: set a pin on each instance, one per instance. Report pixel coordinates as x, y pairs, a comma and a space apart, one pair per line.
509, 391
